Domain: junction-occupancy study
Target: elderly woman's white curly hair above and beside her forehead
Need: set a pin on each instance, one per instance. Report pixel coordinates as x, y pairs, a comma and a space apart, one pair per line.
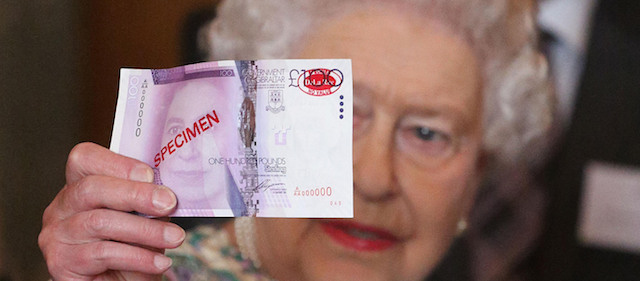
518, 104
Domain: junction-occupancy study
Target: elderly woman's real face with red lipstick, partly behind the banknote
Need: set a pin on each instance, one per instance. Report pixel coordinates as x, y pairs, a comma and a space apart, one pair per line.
417, 145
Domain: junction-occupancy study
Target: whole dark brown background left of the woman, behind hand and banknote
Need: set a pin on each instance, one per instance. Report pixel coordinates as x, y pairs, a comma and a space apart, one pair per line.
59, 70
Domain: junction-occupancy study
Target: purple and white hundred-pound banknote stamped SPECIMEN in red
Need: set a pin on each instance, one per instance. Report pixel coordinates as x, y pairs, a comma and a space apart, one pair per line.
266, 138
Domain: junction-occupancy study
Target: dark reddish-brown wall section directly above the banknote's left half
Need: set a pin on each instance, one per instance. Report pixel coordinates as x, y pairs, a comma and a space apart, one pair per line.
140, 34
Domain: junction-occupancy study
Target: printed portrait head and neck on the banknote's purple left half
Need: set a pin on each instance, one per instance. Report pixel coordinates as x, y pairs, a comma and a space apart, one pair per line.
199, 126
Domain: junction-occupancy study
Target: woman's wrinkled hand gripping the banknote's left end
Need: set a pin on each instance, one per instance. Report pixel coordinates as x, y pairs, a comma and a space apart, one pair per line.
88, 232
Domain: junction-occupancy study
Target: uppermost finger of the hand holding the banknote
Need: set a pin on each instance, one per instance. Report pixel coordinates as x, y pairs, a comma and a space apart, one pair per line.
87, 159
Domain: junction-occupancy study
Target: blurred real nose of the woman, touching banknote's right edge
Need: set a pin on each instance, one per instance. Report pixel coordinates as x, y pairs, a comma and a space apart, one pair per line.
373, 171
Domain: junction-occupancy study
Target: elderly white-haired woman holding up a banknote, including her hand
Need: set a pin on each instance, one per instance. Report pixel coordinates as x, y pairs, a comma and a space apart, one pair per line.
446, 94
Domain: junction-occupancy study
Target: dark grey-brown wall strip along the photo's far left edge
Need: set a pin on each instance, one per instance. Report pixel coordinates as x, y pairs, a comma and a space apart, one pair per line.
39, 120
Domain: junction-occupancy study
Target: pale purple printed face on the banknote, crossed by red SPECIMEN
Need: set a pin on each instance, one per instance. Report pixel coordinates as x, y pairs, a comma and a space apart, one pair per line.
187, 170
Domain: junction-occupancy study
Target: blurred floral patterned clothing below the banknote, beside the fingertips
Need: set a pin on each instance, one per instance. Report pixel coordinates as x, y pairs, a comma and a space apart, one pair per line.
207, 255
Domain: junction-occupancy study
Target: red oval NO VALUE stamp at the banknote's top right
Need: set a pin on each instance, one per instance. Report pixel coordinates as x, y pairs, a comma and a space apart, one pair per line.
320, 81
